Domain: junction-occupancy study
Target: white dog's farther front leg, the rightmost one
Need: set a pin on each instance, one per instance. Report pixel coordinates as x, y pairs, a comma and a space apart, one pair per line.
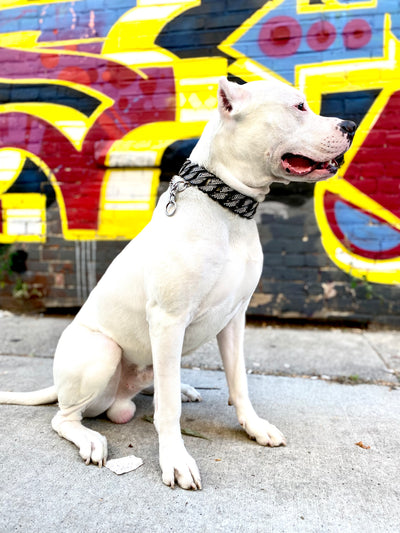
230, 342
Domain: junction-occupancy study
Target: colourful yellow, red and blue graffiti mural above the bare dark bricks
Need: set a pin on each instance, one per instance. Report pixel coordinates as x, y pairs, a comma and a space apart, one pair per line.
92, 96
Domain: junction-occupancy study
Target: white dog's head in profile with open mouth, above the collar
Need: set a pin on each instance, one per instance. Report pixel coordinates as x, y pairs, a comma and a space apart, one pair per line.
270, 125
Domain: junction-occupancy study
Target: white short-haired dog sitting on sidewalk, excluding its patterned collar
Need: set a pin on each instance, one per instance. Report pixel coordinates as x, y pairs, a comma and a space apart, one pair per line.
189, 276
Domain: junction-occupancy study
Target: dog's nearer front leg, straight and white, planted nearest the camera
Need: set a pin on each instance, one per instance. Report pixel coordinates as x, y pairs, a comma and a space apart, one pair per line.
167, 335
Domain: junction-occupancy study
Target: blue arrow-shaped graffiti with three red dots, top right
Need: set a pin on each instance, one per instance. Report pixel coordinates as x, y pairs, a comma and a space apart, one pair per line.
284, 38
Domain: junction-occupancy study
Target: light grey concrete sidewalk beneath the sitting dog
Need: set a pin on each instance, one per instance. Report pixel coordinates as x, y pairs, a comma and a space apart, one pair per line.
323, 481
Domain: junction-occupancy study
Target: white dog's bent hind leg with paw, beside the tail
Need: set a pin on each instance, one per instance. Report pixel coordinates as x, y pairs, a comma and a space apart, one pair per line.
87, 369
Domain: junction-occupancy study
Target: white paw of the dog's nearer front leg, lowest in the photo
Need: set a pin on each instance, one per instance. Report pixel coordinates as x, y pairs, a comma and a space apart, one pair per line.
179, 467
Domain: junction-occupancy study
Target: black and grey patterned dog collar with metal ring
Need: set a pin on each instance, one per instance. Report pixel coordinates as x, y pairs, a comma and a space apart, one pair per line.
215, 188
